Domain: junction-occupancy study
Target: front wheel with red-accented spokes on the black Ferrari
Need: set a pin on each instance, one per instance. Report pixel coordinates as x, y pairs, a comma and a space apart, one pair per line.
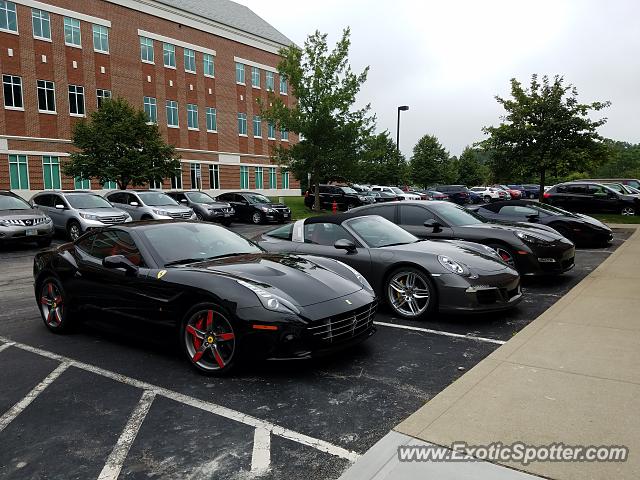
209, 340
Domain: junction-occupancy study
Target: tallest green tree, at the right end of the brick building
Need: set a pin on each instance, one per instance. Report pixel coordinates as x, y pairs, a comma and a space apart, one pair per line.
332, 132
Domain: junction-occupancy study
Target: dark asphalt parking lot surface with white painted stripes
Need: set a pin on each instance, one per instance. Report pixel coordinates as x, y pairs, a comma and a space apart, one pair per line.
103, 404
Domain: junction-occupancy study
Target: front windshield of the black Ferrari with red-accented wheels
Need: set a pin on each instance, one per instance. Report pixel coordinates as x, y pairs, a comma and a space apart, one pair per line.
175, 243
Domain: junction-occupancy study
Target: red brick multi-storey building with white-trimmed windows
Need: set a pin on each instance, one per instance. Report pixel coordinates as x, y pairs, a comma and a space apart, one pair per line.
197, 67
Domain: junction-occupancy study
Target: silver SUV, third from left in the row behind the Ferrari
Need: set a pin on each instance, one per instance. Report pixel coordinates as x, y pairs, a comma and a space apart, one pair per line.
149, 205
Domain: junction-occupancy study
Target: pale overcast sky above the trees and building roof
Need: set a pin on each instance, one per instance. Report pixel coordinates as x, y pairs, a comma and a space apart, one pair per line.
448, 59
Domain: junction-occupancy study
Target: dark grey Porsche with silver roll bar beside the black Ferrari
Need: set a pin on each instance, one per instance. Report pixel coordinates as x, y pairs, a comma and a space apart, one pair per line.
415, 277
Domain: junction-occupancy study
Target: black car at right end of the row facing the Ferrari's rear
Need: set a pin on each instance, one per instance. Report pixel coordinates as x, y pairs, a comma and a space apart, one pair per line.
255, 207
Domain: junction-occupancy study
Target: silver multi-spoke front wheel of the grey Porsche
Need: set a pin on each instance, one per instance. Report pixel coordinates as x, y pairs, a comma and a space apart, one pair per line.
410, 293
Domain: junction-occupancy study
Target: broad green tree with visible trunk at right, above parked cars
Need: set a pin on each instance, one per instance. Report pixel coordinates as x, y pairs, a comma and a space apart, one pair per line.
545, 130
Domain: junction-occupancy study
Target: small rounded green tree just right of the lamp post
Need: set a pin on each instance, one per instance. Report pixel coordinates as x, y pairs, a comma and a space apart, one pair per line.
431, 163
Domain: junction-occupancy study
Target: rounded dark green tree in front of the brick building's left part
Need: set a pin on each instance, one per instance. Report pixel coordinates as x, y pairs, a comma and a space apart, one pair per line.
117, 144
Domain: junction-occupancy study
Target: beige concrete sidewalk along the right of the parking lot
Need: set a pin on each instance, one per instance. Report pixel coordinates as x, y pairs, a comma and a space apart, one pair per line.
571, 376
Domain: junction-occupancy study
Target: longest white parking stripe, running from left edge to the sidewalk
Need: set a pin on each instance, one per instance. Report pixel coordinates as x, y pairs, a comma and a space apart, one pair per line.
298, 437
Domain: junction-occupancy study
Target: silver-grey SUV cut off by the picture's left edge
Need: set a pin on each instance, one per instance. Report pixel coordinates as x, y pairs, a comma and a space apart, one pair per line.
21, 222
